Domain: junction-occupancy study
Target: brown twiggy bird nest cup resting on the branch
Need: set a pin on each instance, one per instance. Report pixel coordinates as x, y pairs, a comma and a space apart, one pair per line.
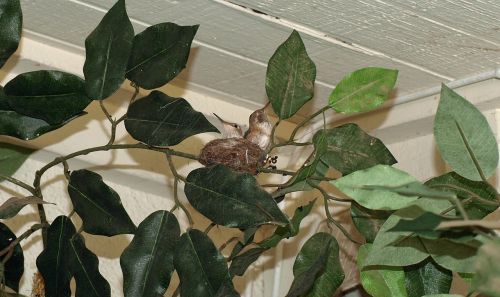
238, 154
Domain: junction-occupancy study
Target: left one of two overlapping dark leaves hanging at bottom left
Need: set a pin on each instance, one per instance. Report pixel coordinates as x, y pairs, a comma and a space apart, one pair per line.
54, 263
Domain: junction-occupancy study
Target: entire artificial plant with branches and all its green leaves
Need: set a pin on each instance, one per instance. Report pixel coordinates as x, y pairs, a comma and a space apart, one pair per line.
418, 235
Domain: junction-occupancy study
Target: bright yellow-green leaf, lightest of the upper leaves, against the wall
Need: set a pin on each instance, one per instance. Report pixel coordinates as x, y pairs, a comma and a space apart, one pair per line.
363, 90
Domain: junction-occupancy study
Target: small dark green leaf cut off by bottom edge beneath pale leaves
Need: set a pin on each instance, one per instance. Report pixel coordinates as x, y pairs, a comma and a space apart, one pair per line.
427, 278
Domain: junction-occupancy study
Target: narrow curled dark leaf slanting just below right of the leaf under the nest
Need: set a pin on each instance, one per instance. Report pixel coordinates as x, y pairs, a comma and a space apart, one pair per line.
289, 230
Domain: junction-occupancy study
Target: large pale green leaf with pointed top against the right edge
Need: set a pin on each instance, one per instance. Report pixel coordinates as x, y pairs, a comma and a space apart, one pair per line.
464, 138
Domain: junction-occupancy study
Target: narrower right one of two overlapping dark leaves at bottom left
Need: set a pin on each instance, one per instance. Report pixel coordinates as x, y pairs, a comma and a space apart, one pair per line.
85, 267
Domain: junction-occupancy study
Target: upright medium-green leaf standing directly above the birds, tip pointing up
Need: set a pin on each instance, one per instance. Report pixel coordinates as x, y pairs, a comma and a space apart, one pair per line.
290, 77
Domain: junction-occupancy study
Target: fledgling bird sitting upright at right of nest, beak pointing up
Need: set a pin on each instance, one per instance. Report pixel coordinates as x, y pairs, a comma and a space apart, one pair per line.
259, 129
